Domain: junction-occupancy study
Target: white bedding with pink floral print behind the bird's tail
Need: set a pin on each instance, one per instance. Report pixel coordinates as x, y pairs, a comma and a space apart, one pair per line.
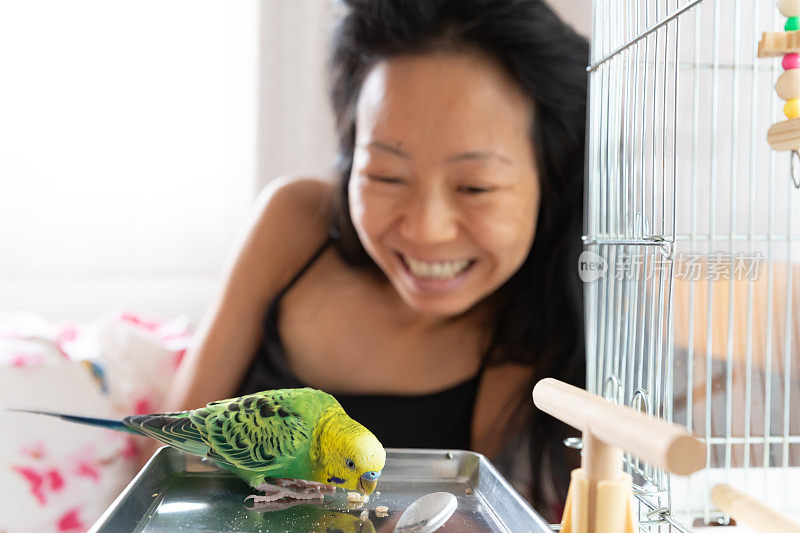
58, 476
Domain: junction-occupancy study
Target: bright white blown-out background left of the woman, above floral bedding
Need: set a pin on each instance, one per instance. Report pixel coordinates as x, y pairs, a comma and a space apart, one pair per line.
127, 151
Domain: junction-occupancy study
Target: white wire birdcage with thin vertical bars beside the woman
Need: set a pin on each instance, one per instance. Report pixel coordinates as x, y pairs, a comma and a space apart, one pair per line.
689, 247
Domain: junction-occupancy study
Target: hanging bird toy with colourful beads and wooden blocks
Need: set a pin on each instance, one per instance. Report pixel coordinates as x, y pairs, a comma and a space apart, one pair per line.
785, 135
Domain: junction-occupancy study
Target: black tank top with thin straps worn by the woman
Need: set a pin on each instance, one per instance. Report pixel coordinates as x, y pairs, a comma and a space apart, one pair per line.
438, 420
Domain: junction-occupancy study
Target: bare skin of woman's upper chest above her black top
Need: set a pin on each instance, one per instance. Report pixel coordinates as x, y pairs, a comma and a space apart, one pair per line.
343, 336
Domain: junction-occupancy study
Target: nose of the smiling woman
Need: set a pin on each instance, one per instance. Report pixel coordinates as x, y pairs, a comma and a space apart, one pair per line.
429, 219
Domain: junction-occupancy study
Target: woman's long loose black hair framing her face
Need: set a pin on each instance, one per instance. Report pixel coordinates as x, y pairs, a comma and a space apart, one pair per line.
539, 321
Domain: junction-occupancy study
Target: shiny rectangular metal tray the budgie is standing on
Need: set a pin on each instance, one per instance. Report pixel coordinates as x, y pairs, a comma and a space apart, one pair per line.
180, 492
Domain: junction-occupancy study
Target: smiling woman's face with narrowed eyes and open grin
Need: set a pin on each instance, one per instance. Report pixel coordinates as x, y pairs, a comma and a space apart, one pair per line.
444, 191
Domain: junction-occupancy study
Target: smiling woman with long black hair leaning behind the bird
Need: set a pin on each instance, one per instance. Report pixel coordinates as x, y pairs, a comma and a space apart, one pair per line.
437, 280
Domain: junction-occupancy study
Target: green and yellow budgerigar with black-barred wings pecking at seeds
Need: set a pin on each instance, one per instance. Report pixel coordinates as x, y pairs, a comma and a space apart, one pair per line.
296, 443
